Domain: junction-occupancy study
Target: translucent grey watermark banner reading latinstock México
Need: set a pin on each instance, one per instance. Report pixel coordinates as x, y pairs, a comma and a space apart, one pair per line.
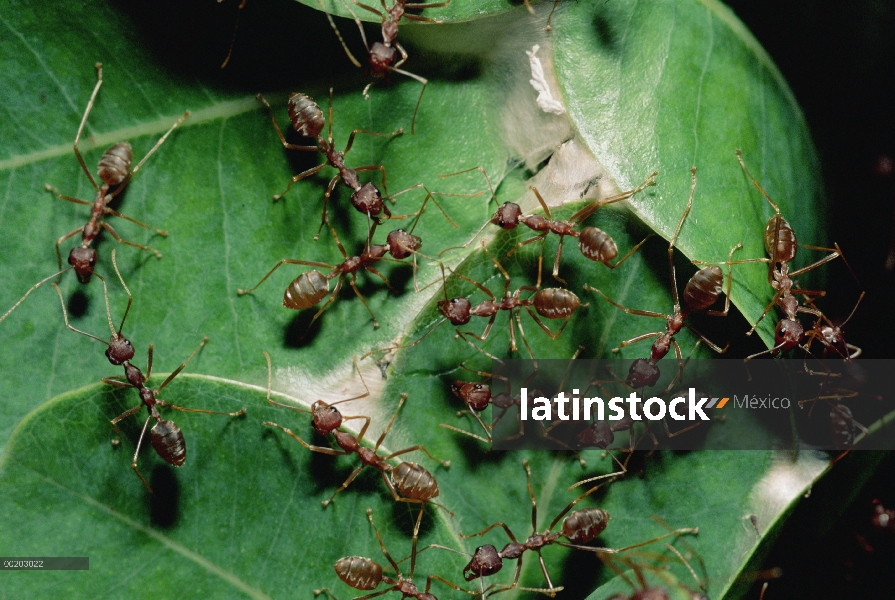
696, 404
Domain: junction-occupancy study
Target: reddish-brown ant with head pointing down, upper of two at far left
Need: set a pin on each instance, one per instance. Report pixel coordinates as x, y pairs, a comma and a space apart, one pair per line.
115, 172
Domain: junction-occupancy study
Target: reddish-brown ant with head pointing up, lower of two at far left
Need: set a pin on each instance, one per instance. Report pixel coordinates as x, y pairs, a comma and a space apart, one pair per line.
165, 436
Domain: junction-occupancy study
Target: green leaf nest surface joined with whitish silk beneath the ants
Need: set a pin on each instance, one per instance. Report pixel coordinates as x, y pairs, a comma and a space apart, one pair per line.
651, 88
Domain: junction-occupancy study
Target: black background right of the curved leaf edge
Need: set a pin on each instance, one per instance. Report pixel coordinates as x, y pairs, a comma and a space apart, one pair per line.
839, 59
